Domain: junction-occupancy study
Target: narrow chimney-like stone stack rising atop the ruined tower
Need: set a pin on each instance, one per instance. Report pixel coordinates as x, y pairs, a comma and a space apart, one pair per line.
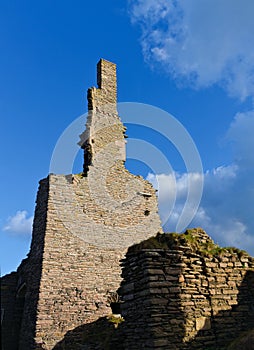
103, 140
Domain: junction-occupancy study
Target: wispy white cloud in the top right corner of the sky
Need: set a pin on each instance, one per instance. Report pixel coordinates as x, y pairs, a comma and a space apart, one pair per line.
203, 42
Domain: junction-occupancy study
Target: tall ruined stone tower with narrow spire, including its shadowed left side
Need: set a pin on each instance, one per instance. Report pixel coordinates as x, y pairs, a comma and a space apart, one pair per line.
82, 227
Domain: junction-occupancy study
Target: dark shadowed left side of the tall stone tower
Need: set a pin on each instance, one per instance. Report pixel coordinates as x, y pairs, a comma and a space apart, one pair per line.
20, 290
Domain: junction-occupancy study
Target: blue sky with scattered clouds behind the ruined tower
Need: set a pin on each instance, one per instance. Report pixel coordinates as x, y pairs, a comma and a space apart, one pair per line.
191, 59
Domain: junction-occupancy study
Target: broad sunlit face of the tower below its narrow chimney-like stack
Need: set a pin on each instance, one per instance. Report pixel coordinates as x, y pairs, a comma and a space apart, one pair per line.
84, 240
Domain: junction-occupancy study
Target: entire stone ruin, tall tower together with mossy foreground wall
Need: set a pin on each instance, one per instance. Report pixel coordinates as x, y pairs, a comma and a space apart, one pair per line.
178, 291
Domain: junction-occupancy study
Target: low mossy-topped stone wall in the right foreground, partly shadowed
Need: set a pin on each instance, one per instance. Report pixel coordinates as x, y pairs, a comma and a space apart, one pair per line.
184, 292
